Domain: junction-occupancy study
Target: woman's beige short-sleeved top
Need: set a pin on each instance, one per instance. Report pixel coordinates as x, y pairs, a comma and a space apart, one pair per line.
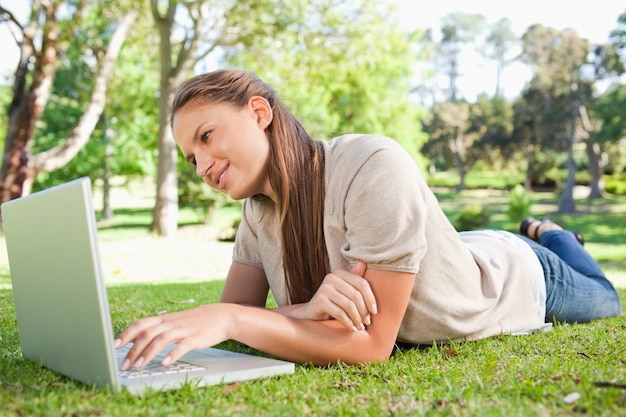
379, 209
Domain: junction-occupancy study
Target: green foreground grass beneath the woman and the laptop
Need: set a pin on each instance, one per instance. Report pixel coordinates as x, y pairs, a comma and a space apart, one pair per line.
502, 376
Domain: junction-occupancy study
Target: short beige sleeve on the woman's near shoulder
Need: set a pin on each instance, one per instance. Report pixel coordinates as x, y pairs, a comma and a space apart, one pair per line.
378, 204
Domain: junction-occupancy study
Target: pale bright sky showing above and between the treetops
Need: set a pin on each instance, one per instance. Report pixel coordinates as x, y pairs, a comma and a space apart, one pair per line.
590, 19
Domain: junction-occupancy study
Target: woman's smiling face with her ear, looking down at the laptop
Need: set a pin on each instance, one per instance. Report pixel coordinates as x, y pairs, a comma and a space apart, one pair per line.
228, 145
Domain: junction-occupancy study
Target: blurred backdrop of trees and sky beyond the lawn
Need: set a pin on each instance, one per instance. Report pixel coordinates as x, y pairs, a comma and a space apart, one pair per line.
492, 95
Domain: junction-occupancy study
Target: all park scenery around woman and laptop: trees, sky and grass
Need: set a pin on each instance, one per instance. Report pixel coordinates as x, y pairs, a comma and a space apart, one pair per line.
510, 110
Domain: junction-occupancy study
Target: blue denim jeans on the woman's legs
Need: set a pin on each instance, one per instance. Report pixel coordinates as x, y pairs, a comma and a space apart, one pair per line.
576, 288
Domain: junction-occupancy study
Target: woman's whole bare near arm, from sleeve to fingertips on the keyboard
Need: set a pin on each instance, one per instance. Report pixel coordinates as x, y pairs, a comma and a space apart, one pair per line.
320, 342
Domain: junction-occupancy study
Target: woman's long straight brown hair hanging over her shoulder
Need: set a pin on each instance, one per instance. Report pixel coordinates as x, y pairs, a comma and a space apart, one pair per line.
295, 170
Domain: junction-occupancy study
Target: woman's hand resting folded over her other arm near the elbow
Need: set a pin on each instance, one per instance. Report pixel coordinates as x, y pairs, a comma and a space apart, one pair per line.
344, 296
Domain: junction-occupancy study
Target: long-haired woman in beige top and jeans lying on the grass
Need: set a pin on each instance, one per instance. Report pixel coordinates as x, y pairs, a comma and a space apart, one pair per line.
353, 245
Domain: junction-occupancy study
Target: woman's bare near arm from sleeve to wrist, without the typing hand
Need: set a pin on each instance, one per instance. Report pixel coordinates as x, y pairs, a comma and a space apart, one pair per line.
326, 342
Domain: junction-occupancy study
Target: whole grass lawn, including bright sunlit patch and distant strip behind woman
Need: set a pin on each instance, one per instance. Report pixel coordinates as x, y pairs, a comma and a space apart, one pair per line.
572, 370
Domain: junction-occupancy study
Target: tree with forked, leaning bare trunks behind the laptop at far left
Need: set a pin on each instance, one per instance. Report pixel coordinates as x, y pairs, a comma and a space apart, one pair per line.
44, 39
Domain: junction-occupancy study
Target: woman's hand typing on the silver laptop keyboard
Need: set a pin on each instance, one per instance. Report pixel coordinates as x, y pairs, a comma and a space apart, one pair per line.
197, 328
